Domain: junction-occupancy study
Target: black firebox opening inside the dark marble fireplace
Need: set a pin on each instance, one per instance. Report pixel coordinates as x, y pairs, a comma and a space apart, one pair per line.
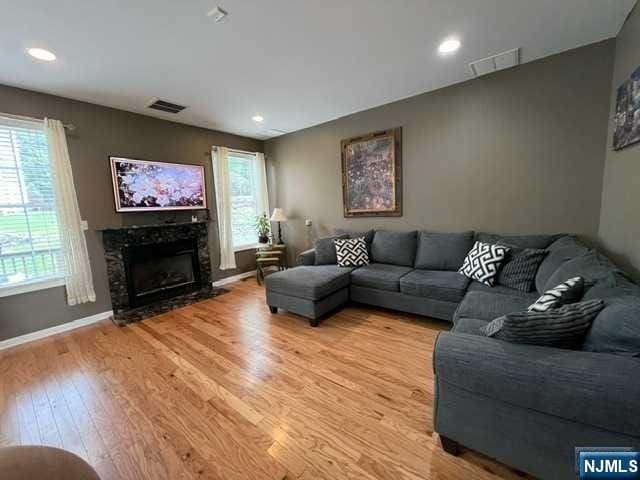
159, 271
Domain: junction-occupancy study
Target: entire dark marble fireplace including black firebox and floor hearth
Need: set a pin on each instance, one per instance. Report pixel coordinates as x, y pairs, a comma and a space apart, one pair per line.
156, 268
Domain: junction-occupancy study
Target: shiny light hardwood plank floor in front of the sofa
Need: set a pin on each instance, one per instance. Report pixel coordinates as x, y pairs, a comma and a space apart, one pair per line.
224, 390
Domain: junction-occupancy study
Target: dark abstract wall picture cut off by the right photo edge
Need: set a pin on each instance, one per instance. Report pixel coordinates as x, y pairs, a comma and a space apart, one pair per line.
627, 119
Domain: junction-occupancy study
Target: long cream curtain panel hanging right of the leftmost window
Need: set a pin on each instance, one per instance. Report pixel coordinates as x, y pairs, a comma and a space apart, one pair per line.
78, 278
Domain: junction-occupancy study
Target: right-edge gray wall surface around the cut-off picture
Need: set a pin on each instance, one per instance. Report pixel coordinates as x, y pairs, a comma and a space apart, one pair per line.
620, 217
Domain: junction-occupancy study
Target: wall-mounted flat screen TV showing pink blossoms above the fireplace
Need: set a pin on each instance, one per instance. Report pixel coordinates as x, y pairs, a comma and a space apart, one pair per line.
141, 185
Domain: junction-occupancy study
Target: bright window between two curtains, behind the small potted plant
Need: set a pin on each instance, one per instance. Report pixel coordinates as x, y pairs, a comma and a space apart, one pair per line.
246, 198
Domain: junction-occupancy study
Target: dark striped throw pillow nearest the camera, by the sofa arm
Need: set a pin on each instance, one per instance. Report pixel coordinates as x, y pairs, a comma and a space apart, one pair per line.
563, 327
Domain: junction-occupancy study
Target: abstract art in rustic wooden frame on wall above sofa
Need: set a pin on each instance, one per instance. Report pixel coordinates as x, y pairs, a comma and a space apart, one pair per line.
372, 174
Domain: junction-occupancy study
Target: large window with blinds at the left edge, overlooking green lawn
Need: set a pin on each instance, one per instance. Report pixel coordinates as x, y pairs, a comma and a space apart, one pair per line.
29, 235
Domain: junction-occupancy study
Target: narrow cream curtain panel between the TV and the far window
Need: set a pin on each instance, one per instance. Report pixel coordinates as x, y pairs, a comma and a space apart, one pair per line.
220, 157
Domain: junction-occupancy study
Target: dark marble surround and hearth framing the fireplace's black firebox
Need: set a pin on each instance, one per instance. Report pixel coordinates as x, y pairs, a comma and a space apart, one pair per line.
119, 242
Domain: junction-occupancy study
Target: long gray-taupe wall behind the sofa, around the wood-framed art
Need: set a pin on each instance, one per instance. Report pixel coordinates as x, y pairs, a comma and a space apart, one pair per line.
518, 151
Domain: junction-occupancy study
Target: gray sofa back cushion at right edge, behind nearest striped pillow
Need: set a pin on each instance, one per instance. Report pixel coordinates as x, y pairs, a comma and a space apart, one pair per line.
616, 329
